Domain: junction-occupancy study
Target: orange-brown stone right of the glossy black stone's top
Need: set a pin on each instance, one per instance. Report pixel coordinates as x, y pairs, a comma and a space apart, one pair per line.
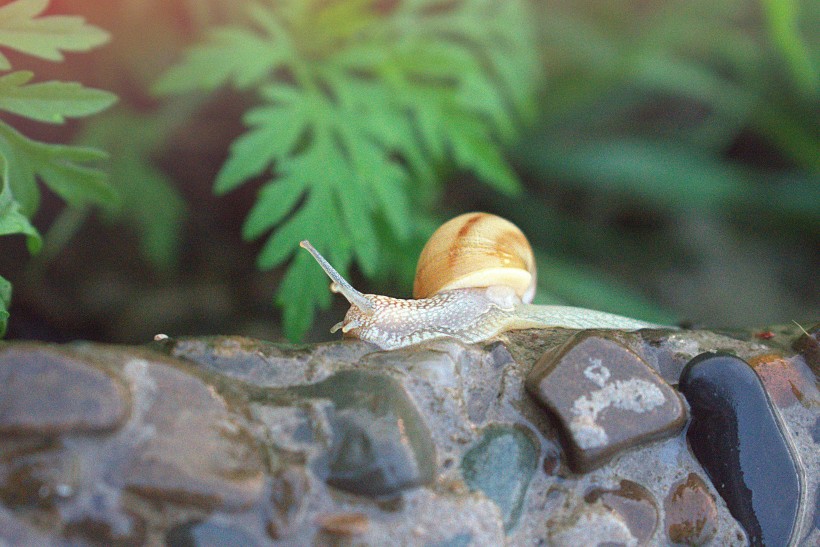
787, 381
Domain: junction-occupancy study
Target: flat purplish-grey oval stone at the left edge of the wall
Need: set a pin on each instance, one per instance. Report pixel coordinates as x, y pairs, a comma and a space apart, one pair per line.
47, 392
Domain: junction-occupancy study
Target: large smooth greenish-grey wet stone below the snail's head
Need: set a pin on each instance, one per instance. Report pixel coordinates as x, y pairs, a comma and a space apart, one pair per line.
380, 444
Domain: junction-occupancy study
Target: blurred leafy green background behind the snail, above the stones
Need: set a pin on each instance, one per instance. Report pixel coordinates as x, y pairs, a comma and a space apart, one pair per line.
661, 156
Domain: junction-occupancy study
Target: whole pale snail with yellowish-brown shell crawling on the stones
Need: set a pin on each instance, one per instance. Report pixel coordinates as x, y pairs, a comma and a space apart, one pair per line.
475, 279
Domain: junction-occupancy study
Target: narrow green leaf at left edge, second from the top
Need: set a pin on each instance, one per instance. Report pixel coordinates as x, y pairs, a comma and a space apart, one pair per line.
50, 102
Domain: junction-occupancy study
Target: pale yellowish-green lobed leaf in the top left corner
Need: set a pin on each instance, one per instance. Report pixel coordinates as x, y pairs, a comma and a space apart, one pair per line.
44, 37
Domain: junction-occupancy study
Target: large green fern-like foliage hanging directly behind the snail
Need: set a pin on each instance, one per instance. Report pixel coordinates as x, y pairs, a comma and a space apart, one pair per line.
362, 103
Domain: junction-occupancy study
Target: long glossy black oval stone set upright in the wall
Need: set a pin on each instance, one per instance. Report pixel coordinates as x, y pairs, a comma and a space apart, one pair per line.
736, 436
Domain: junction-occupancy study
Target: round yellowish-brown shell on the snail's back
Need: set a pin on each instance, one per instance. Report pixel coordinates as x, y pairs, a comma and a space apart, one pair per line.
476, 250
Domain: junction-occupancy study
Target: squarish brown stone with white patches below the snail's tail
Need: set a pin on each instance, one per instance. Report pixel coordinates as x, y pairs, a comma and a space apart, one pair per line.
604, 397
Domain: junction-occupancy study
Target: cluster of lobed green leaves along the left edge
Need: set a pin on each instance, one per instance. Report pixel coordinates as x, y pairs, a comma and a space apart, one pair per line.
63, 169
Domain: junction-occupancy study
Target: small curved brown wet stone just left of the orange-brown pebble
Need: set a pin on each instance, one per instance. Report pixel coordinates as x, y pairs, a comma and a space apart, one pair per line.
633, 503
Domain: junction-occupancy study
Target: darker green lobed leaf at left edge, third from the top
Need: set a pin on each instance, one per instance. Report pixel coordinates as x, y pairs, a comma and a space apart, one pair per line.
60, 167
